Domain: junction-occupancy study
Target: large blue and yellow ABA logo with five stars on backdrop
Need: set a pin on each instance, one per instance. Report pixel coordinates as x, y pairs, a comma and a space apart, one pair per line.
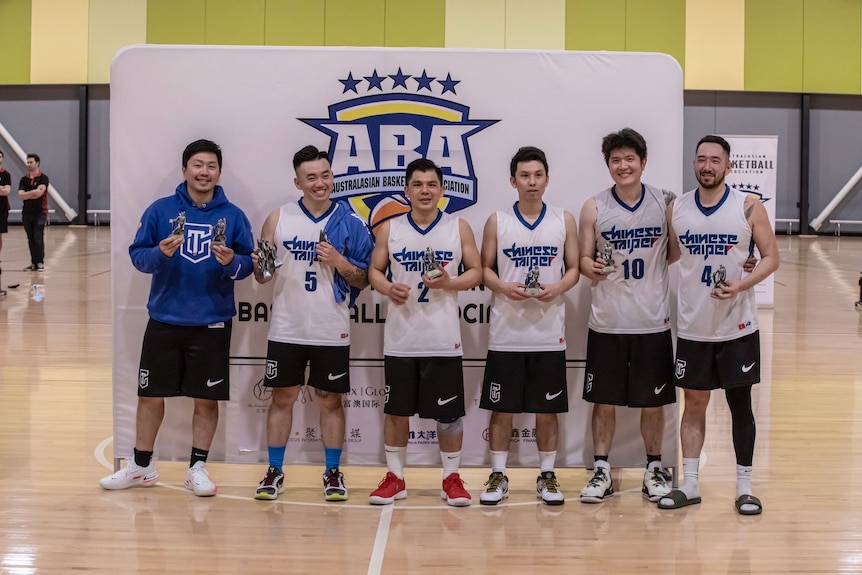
392, 120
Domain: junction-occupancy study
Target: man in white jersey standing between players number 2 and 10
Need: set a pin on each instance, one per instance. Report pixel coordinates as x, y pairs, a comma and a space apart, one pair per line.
526, 367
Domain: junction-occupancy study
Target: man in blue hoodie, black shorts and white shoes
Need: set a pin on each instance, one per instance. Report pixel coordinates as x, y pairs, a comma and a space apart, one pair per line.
186, 348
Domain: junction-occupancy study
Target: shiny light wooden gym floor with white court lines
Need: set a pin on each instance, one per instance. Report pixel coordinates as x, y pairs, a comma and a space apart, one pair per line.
55, 429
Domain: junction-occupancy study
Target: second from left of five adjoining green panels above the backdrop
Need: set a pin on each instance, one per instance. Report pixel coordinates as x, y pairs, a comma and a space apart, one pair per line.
235, 23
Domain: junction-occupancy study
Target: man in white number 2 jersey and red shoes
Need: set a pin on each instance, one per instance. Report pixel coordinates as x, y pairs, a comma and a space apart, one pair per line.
423, 251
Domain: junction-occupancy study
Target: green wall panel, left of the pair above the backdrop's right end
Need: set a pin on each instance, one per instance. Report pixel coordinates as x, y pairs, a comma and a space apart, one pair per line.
592, 25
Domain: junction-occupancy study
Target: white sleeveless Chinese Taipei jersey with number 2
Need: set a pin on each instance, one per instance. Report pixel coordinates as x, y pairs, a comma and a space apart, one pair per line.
428, 323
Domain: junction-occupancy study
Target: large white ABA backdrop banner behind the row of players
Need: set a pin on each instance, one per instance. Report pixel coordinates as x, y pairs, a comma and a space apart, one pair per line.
374, 110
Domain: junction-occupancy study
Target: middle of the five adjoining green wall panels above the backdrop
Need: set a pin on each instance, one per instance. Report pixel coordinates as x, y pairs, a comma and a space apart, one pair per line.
294, 22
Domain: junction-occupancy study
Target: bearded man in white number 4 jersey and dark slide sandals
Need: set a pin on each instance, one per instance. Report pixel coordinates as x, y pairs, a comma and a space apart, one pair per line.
712, 231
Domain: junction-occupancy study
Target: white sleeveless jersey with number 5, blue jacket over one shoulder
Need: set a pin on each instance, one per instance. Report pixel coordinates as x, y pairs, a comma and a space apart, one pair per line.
304, 310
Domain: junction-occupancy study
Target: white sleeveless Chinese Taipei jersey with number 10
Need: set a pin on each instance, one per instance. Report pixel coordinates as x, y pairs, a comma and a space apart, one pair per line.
634, 298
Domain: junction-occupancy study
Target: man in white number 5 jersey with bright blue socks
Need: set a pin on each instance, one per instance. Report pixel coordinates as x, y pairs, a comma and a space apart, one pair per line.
310, 323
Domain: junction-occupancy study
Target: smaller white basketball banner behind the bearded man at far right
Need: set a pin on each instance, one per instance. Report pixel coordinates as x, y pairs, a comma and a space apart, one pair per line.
755, 162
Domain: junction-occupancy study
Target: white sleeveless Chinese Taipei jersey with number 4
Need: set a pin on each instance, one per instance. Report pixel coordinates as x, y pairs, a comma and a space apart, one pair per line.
709, 238
